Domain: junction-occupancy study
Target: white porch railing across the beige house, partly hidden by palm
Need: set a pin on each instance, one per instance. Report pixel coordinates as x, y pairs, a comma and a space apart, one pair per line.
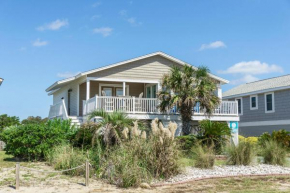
147, 105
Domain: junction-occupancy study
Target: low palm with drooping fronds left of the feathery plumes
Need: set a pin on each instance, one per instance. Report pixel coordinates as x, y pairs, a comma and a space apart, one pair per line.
111, 125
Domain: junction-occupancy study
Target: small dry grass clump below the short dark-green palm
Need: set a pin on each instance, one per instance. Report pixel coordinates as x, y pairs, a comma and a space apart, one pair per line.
204, 156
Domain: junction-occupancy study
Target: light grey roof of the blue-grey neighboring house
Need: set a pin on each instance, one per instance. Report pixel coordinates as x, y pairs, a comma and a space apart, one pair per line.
262, 86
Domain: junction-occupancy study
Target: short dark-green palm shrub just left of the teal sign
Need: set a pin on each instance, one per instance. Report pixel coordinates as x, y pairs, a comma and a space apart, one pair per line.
214, 133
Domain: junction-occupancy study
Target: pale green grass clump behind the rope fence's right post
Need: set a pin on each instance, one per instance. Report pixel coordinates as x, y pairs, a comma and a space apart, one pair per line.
64, 157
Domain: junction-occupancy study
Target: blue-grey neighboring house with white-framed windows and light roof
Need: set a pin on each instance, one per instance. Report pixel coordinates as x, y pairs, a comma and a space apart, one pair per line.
263, 105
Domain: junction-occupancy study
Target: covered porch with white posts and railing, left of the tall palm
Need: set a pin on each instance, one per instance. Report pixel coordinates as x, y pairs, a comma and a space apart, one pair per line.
131, 96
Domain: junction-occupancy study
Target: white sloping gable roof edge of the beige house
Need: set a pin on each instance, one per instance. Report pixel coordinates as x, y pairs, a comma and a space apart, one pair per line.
50, 88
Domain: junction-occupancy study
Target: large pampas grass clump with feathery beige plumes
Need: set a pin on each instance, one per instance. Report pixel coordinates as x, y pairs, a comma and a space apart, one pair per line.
139, 158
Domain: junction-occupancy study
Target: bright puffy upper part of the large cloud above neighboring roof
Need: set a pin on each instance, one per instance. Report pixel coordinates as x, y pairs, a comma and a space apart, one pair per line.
252, 67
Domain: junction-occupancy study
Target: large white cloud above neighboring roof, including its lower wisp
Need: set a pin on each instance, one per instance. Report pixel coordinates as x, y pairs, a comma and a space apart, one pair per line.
249, 70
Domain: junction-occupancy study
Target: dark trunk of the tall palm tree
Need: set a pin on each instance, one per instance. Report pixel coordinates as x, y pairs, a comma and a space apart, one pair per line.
186, 113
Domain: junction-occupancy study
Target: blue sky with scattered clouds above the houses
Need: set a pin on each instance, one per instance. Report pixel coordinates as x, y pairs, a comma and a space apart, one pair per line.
44, 41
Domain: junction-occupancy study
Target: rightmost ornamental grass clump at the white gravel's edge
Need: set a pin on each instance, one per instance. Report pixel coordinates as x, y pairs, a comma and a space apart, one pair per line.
274, 153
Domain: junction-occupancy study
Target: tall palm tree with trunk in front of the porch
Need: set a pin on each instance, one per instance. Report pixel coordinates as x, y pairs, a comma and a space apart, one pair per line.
184, 88
